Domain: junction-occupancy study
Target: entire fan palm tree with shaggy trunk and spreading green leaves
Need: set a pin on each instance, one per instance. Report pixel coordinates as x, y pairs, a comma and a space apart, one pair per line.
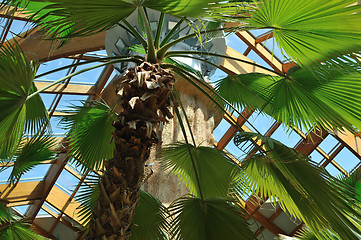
323, 37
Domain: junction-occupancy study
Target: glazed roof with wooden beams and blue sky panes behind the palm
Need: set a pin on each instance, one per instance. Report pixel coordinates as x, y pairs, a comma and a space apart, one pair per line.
47, 193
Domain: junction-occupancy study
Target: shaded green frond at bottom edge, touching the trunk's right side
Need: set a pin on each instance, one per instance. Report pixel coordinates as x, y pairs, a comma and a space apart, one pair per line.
150, 219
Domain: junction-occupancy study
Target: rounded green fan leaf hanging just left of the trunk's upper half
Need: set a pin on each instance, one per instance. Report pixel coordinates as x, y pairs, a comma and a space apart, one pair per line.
90, 134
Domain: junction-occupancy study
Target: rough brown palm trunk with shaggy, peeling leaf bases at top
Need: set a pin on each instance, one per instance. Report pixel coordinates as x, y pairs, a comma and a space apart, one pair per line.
144, 100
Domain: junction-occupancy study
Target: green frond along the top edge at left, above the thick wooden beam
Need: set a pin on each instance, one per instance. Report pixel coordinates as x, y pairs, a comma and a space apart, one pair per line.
66, 18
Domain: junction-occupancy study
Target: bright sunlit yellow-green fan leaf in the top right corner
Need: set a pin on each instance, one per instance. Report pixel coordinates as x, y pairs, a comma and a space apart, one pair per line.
310, 30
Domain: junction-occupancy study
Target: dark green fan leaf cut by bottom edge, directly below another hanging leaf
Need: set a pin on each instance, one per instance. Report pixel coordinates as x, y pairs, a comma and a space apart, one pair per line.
214, 218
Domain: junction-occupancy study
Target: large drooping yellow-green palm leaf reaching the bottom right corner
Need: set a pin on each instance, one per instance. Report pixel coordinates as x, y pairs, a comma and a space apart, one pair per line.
306, 191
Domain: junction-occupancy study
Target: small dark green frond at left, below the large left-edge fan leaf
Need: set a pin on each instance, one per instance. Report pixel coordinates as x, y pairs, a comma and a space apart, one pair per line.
32, 152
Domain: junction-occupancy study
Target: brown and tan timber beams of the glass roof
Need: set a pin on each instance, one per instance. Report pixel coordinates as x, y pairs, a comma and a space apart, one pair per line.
36, 193
